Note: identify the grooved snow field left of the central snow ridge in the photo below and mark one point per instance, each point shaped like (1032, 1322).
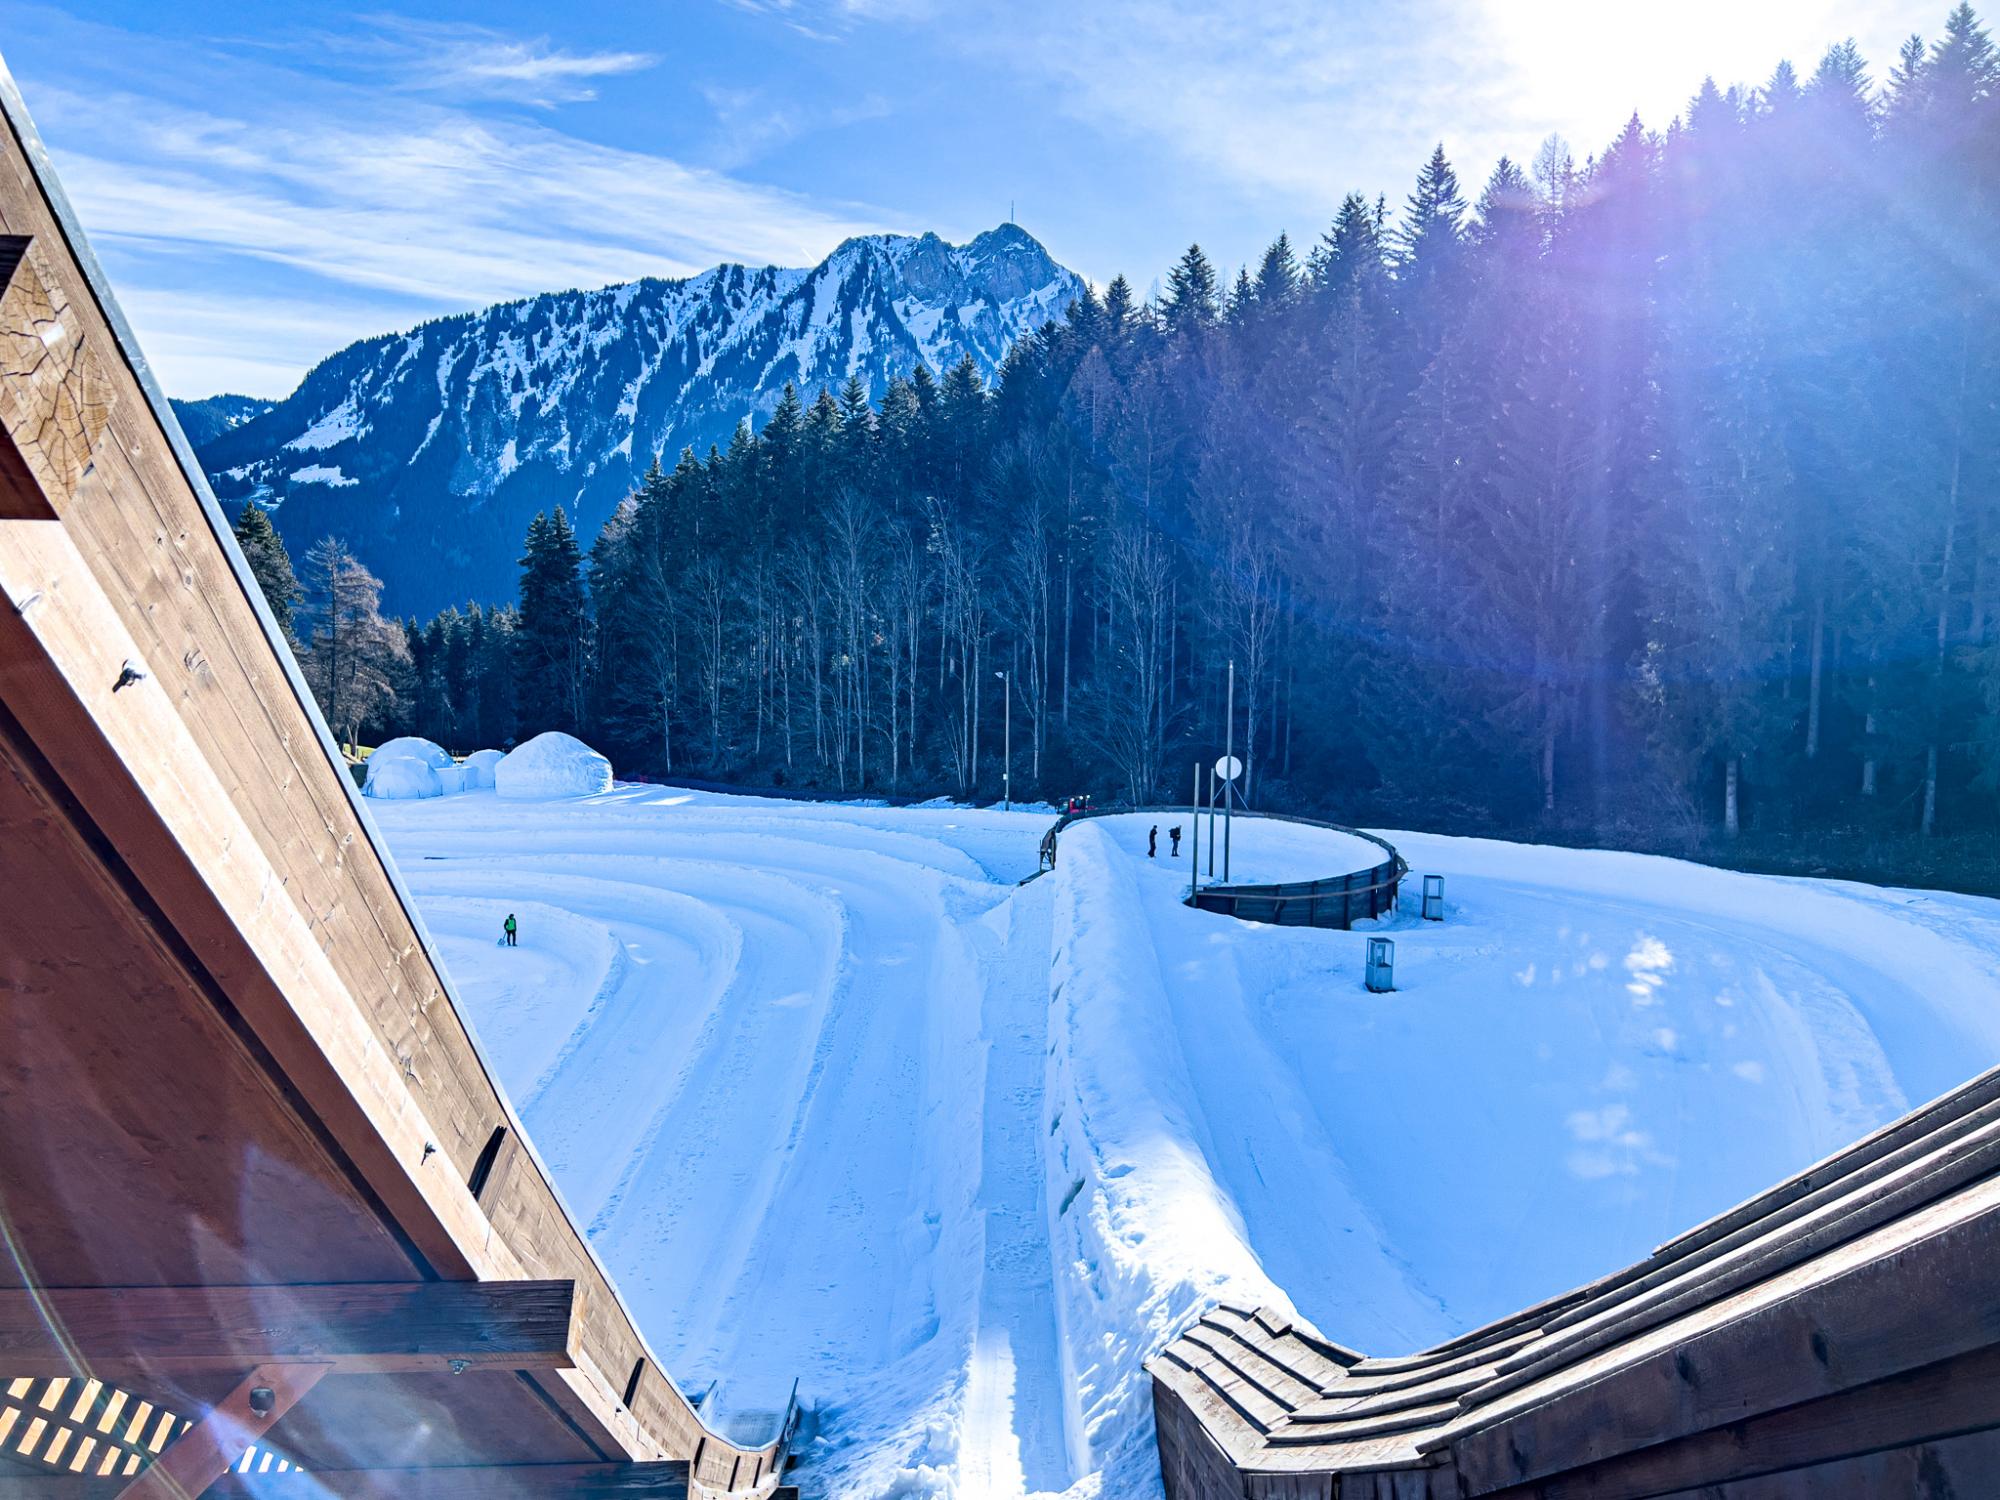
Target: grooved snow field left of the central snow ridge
(793, 1091)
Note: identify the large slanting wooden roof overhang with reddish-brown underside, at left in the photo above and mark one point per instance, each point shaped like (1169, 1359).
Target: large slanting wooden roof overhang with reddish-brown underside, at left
(229, 1057)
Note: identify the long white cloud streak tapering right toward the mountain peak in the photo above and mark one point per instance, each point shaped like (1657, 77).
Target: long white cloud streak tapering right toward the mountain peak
(437, 205)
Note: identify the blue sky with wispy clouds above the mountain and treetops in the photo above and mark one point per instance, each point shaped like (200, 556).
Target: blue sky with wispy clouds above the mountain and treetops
(269, 183)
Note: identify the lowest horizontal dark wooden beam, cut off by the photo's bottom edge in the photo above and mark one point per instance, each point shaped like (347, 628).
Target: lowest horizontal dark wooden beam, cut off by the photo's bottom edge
(667, 1481)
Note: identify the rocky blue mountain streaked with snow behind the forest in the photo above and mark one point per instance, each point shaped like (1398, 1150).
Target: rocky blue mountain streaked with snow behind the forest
(431, 451)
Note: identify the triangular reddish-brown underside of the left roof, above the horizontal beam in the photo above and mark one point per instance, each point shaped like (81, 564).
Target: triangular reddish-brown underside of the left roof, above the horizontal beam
(135, 1207)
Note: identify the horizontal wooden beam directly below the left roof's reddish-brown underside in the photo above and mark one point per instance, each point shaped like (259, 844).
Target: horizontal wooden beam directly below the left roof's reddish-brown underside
(369, 1329)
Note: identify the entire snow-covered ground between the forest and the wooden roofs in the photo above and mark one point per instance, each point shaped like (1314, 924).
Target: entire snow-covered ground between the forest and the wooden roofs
(839, 1101)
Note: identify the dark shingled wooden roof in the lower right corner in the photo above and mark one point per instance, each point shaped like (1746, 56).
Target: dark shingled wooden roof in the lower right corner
(1849, 1311)
